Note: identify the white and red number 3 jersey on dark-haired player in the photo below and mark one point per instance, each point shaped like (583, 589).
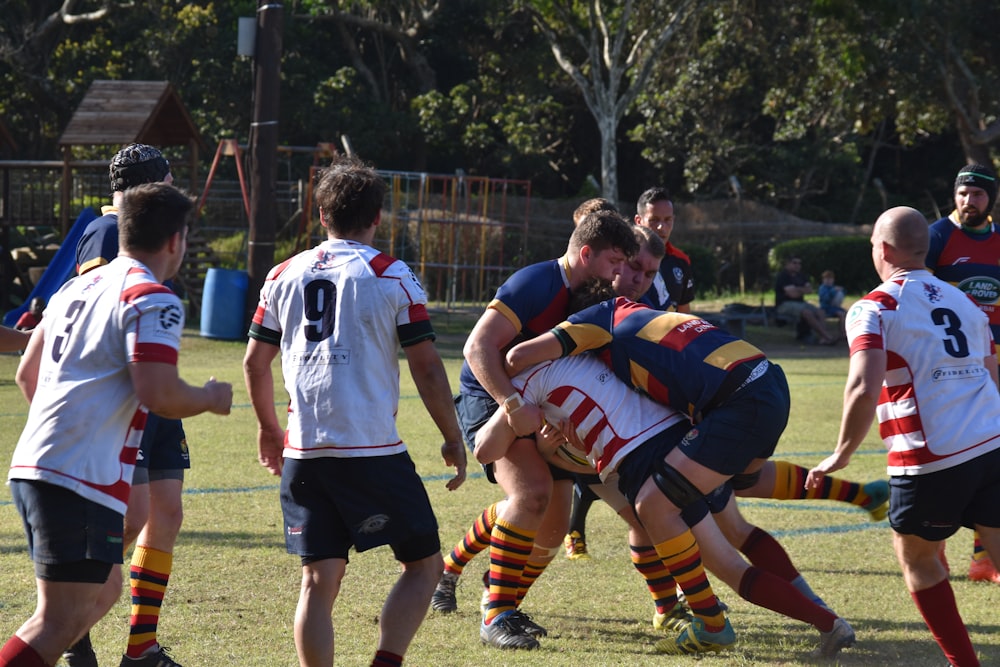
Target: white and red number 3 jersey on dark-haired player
(85, 421)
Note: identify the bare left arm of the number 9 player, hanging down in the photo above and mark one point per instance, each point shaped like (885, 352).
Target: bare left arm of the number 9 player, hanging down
(259, 381)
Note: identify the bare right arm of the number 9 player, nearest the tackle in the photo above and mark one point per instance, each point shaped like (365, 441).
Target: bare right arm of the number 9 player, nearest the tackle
(435, 391)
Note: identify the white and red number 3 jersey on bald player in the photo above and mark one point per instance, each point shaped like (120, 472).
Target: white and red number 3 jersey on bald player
(938, 406)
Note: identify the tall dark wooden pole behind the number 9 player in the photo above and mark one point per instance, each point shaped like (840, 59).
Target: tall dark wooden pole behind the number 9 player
(264, 148)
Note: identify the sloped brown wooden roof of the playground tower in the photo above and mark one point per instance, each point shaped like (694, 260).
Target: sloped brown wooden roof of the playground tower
(123, 112)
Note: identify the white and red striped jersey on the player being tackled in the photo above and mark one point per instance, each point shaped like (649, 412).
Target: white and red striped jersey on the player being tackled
(610, 418)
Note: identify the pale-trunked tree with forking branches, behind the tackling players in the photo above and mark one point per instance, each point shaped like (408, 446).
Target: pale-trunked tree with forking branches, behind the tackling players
(609, 56)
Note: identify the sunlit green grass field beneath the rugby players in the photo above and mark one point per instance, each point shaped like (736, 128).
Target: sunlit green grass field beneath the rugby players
(233, 591)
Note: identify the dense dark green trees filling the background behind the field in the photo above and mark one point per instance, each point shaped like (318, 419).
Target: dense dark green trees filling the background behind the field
(829, 109)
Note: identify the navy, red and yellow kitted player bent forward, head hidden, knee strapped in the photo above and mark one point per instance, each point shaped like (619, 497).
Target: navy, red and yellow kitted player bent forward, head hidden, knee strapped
(736, 398)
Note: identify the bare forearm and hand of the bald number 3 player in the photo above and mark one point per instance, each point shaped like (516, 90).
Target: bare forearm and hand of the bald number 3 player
(864, 384)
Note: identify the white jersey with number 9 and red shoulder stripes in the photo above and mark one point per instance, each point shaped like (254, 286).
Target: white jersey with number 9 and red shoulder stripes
(340, 313)
